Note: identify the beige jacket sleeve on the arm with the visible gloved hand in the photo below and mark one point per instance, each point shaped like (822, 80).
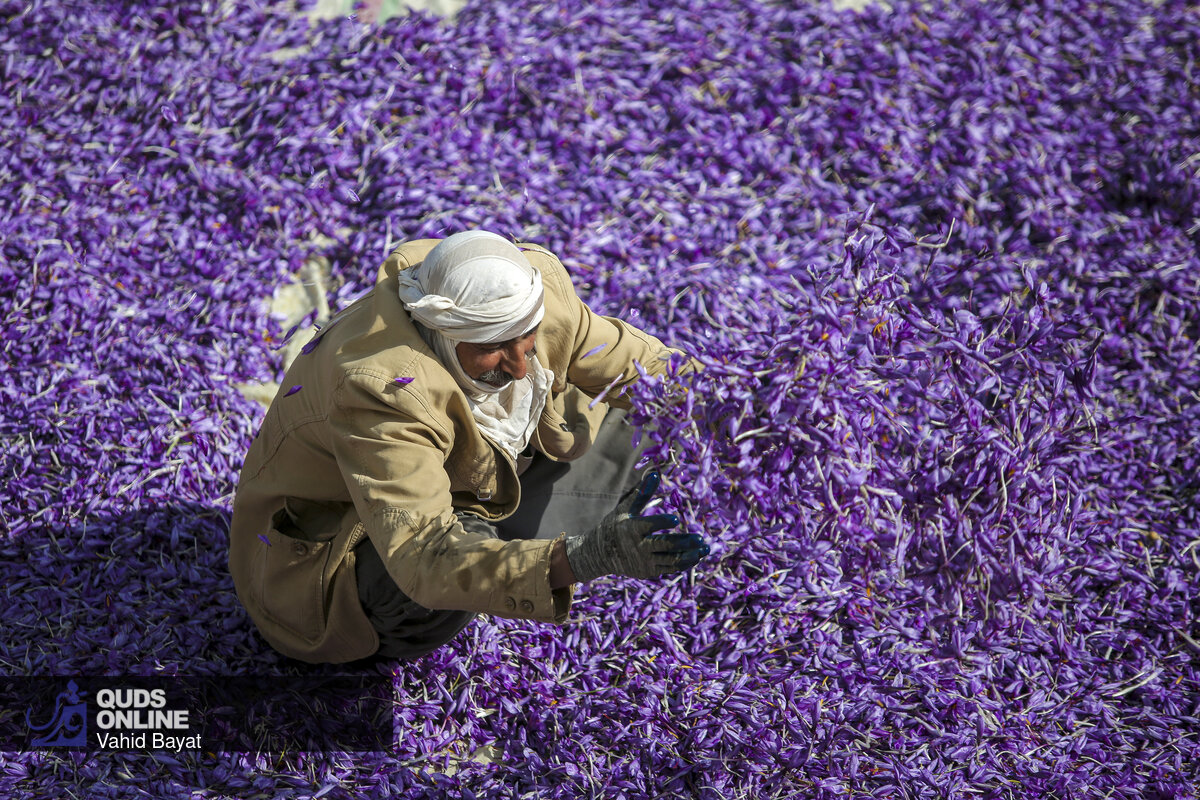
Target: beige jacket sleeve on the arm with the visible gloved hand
(393, 459)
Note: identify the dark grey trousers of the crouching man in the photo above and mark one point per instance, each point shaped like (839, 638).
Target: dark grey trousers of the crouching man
(556, 497)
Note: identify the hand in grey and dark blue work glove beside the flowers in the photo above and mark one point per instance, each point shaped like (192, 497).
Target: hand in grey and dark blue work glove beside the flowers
(626, 544)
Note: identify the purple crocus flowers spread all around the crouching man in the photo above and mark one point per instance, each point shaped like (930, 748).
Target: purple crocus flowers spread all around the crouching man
(941, 263)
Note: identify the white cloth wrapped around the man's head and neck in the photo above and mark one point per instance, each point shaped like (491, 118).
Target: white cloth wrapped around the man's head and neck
(478, 287)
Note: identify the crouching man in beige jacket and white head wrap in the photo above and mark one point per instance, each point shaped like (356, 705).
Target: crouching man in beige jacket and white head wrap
(430, 458)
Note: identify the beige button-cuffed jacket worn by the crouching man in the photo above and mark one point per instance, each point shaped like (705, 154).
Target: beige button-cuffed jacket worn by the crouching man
(359, 450)
